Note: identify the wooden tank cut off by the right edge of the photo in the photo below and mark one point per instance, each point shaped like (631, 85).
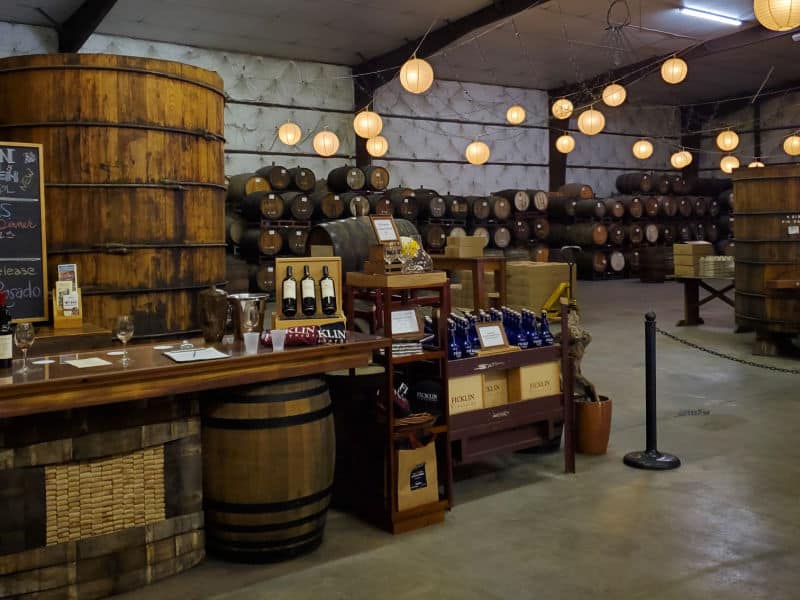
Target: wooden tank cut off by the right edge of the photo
(768, 249)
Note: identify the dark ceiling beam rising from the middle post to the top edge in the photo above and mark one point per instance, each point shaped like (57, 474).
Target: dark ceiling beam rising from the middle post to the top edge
(377, 71)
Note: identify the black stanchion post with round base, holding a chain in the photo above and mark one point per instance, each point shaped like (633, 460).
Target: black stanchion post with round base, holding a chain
(651, 458)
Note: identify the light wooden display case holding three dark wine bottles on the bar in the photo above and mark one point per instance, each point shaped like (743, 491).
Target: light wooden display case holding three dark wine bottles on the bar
(315, 265)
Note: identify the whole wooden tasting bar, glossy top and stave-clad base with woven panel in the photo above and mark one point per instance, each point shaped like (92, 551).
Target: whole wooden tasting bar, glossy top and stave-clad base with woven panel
(101, 469)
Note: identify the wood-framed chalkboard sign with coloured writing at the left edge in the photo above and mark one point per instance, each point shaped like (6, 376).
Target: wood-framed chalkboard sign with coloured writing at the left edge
(23, 264)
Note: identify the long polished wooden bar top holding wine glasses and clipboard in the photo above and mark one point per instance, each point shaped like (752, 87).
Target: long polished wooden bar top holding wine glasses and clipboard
(57, 386)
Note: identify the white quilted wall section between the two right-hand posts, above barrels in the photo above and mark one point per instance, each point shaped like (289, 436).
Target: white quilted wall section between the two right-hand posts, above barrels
(598, 160)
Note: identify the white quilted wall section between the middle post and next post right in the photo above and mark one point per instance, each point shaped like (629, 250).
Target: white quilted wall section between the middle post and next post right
(428, 134)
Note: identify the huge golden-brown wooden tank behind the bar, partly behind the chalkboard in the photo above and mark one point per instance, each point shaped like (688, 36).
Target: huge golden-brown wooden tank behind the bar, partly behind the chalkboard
(134, 178)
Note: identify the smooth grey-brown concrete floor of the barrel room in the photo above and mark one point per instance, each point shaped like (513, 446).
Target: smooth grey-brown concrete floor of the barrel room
(724, 525)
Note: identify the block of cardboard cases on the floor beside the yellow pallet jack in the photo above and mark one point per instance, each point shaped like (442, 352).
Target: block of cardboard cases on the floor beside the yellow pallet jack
(530, 284)
